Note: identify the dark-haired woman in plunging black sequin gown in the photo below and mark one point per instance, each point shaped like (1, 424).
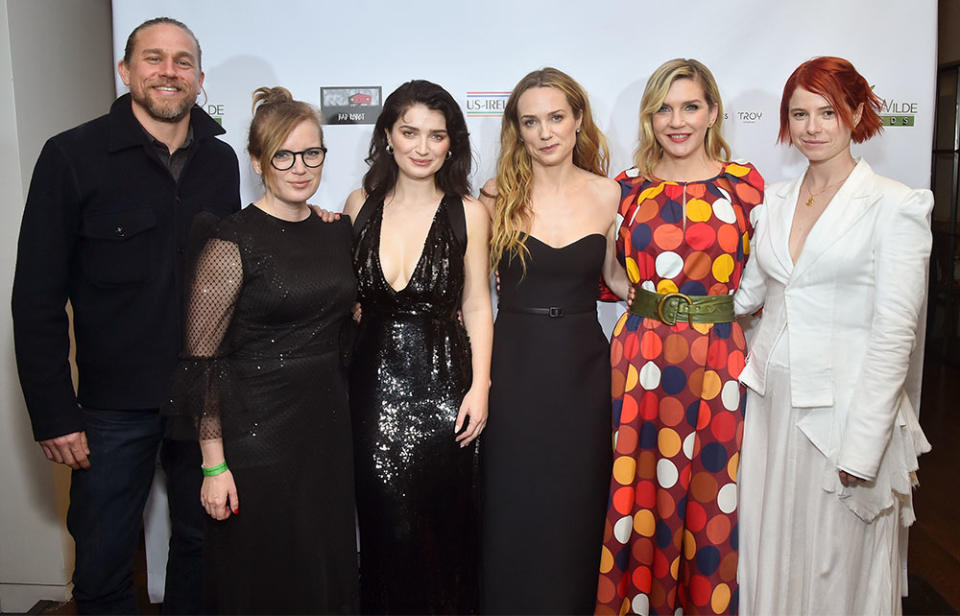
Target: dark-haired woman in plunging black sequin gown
(418, 382)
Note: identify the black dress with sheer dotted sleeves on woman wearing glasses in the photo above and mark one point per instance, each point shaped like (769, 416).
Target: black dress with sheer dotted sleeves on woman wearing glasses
(262, 368)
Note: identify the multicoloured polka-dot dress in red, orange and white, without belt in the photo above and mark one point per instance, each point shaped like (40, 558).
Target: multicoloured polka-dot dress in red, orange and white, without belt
(670, 538)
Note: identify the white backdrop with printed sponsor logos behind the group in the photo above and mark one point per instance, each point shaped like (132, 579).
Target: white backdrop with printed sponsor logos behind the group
(609, 46)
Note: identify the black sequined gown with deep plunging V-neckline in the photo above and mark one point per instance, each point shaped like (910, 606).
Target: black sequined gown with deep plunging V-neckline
(416, 487)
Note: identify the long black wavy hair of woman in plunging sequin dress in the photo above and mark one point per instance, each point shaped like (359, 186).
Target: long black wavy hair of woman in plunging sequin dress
(381, 177)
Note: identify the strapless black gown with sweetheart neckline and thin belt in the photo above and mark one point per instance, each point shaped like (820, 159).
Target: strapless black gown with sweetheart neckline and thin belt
(546, 451)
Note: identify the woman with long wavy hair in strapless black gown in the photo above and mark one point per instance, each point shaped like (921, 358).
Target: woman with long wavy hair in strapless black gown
(546, 455)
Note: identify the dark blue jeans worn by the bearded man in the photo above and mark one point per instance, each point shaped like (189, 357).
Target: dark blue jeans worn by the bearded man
(106, 509)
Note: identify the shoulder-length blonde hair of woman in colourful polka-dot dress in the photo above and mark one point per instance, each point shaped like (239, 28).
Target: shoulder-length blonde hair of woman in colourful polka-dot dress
(649, 151)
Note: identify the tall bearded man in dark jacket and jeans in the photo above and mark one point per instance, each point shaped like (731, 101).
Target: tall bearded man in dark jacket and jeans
(105, 226)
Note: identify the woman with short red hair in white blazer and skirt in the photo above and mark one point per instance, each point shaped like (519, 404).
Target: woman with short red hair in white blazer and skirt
(831, 437)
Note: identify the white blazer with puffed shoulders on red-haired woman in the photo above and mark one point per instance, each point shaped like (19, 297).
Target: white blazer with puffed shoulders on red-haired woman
(851, 308)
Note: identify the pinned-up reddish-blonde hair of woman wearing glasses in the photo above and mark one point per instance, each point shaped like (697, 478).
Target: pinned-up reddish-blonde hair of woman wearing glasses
(275, 115)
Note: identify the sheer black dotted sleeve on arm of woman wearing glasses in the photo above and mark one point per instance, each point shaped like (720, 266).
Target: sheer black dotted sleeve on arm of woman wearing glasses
(202, 384)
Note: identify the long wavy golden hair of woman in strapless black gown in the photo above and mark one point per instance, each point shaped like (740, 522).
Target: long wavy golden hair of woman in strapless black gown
(512, 211)
